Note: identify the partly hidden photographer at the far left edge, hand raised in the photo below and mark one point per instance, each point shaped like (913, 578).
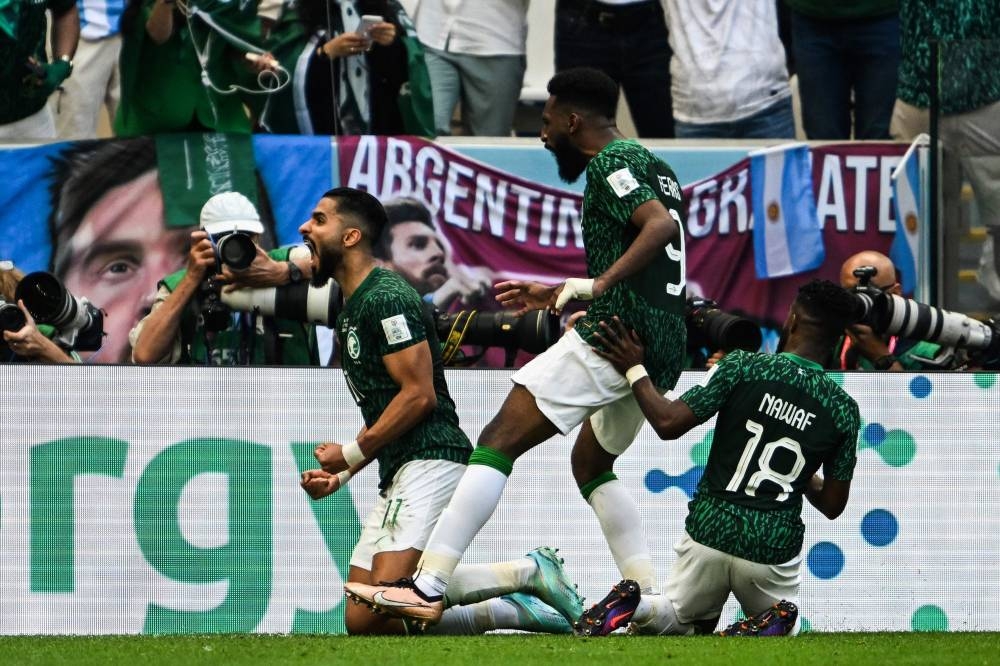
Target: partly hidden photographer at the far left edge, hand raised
(27, 342)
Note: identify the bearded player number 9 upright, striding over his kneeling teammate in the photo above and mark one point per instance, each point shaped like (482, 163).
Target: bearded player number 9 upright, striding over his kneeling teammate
(634, 238)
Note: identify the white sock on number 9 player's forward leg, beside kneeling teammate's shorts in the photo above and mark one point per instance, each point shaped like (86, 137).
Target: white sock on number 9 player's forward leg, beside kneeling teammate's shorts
(472, 504)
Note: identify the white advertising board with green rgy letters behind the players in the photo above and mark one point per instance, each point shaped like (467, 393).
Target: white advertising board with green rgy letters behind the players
(171, 504)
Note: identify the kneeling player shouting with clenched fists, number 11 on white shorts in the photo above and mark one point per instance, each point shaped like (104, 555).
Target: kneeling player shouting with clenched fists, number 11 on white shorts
(392, 365)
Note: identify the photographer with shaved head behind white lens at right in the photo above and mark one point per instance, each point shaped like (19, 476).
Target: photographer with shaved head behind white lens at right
(861, 348)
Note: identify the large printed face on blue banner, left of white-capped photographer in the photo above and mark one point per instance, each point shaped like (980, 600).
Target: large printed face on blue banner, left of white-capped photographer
(119, 253)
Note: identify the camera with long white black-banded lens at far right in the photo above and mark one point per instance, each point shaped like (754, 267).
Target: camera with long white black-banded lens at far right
(894, 315)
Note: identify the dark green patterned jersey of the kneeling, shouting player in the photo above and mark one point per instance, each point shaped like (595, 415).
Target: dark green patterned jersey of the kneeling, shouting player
(383, 316)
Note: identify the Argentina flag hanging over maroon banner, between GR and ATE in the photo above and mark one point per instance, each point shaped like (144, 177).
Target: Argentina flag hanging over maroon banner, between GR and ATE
(787, 238)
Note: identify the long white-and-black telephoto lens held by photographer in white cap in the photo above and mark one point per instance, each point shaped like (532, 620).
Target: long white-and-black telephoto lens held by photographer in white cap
(297, 302)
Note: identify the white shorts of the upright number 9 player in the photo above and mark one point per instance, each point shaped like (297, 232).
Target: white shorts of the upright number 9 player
(571, 383)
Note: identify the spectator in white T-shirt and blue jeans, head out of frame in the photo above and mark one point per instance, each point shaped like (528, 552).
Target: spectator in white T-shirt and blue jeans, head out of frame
(728, 70)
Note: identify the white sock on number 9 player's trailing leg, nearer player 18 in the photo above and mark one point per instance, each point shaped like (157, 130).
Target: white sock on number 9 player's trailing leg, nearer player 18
(619, 518)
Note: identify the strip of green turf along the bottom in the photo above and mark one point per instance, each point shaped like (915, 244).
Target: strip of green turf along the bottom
(819, 649)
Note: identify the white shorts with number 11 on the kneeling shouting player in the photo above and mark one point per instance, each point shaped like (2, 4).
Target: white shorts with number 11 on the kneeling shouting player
(405, 514)
